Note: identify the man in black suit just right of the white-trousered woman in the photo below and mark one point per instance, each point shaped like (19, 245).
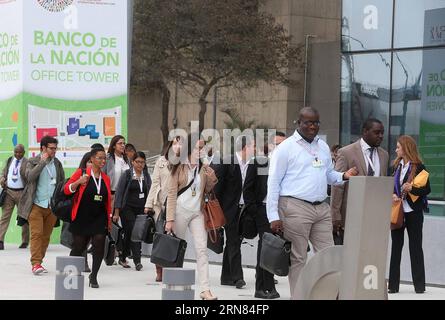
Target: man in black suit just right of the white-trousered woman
(229, 191)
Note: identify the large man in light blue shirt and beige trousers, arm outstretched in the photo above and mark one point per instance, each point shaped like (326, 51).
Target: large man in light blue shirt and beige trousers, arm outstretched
(300, 170)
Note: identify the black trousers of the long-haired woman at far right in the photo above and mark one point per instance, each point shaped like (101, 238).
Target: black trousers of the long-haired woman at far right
(413, 224)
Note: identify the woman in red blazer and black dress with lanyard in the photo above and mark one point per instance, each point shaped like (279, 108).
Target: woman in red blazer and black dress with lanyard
(91, 210)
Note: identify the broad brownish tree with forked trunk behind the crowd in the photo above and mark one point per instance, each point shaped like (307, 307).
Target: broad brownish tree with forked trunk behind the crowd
(201, 43)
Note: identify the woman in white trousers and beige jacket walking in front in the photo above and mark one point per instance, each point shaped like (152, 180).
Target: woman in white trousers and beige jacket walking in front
(186, 210)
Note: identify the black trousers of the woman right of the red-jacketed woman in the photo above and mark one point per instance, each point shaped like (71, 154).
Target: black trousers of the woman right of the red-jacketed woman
(128, 217)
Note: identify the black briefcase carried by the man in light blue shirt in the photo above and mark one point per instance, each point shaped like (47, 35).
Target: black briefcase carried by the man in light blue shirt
(275, 254)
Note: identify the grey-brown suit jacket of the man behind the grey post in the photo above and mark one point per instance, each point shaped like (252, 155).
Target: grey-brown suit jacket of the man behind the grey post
(349, 157)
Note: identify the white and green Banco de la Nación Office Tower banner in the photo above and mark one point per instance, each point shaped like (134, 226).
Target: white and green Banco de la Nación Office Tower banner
(64, 73)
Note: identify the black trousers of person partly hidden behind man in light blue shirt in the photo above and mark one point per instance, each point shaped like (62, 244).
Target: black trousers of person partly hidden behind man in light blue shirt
(263, 279)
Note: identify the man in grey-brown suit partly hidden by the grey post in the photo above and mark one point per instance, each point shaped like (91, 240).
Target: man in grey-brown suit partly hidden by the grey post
(369, 159)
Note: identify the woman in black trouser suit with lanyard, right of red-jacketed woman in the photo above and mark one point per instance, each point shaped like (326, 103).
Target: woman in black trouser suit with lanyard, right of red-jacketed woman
(129, 202)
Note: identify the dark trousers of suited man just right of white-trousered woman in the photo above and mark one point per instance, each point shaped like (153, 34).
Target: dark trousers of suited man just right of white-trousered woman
(231, 269)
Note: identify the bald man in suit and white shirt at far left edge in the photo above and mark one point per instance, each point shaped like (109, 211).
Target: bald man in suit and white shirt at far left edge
(13, 180)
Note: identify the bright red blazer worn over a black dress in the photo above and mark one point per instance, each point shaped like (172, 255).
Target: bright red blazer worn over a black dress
(79, 193)
